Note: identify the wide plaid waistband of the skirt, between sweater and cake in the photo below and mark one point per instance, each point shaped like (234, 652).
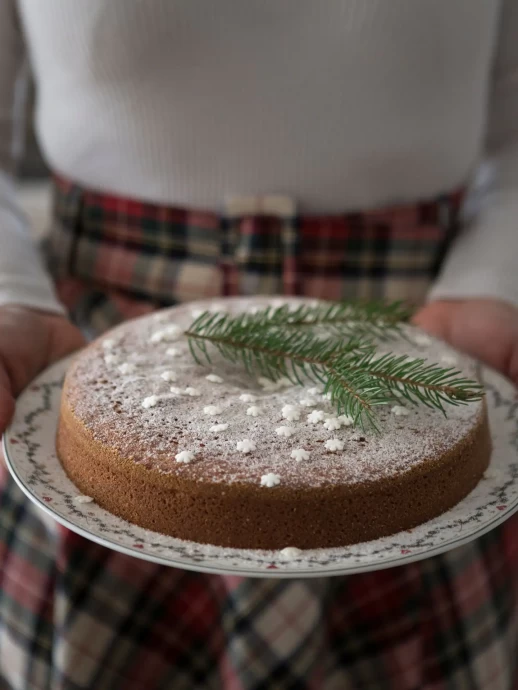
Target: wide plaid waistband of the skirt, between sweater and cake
(255, 246)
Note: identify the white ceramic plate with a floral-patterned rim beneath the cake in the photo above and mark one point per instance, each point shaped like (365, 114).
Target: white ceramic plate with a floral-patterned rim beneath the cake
(30, 453)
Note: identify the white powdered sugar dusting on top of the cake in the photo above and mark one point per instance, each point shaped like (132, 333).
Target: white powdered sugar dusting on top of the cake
(110, 401)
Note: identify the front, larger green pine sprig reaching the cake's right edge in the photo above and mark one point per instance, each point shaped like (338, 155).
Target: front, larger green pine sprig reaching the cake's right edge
(355, 378)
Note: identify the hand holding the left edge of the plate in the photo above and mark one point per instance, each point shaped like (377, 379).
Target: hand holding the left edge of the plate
(29, 341)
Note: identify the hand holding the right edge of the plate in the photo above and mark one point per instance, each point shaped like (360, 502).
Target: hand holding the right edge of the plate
(486, 329)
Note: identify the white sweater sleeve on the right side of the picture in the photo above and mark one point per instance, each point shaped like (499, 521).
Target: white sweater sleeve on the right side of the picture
(483, 260)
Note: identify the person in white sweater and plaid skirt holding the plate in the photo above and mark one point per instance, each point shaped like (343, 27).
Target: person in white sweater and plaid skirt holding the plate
(348, 148)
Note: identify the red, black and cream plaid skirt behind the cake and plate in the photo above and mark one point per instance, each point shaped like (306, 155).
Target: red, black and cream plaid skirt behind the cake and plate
(76, 615)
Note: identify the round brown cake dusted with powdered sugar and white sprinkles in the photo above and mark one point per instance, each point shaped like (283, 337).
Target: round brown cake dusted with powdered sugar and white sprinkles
(213, 455)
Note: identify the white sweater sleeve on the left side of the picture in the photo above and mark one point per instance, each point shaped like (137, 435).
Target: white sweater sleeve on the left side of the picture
(22, 277)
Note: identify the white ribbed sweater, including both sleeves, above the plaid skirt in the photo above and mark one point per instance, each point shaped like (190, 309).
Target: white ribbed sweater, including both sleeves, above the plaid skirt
(341, 104)
